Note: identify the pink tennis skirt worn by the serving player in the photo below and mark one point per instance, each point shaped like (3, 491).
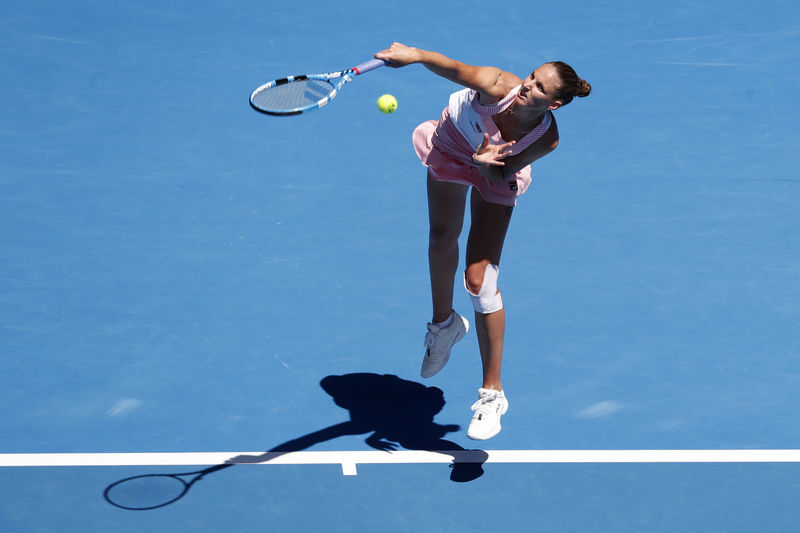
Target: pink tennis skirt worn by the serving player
(446, 153)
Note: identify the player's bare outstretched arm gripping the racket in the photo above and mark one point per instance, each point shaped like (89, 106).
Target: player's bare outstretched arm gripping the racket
(491, 82)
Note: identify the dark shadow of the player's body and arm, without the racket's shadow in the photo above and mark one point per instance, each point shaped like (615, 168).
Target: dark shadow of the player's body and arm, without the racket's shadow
(393, 413)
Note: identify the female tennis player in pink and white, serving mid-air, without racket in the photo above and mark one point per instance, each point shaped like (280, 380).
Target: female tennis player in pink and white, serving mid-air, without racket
(486, 139)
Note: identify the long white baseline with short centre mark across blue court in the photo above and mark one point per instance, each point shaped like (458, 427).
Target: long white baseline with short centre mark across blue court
(350, 459)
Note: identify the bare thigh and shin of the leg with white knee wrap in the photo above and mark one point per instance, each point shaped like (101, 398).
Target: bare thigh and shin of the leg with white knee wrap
(489, 225)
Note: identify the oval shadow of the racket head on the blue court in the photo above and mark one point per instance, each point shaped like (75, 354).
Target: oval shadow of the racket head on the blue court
(145, 492)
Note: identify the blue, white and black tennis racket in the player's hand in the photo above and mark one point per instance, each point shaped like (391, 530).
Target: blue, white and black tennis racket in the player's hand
(300, 94)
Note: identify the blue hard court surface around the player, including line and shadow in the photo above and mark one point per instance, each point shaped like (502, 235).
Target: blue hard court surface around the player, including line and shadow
(180, 274)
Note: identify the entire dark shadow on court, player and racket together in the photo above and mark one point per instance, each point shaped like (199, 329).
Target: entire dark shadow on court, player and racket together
(391, 411)
